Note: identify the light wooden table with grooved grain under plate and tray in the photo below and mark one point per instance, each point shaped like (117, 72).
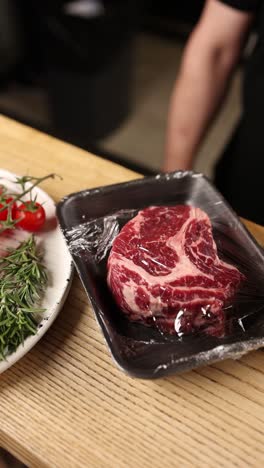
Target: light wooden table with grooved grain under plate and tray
(66, 404)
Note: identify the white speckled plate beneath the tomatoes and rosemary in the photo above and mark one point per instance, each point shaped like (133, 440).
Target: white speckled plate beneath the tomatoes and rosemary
(56, 259)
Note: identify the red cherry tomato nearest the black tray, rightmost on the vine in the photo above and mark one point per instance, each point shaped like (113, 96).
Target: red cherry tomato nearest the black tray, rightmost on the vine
(31, 216)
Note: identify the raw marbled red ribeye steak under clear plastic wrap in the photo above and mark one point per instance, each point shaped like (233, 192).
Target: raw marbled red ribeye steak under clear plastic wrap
(163, 269)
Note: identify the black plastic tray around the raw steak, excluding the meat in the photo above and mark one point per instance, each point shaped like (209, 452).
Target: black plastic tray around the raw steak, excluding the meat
(143, 351)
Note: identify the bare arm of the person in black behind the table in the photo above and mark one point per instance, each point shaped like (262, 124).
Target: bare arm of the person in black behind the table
(209, 59)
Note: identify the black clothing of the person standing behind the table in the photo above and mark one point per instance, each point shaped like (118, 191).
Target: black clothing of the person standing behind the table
(240, 172)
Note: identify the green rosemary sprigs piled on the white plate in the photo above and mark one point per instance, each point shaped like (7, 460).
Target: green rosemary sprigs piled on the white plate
(22, 281)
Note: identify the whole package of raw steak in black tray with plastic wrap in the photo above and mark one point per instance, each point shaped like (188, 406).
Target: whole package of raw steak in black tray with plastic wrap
(185, 278)
